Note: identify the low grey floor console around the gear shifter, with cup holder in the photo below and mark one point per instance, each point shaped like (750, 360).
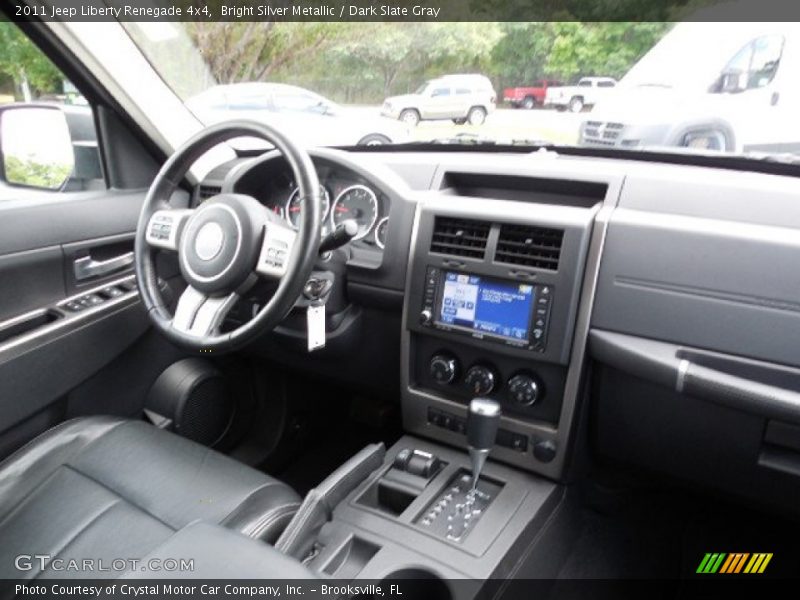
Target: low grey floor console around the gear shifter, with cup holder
(413, 519)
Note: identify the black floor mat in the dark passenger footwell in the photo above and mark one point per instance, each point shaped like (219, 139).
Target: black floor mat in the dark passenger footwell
(665, 534)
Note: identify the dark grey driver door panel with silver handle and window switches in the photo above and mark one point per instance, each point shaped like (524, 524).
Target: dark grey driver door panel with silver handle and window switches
(46, 348)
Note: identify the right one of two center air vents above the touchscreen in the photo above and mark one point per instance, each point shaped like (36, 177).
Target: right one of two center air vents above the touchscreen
(529, 246)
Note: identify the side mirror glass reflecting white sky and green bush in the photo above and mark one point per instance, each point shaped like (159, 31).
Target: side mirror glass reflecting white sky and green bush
(35, 146)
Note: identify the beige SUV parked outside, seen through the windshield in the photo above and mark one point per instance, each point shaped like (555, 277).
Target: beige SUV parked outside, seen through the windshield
(460, 98)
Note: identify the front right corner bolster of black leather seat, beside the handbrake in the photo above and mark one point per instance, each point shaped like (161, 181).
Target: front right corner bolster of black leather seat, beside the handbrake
(264, 513)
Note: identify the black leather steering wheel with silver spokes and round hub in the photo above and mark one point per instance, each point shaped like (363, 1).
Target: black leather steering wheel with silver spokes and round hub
(225, 245)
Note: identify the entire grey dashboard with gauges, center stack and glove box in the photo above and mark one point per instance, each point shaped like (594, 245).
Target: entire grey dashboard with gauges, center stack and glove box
(637, 312)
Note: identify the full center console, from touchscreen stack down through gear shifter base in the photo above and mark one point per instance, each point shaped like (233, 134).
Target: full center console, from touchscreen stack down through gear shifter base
(496, 310)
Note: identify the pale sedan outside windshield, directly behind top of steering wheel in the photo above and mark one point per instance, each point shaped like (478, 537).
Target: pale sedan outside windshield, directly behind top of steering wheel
(310, 117)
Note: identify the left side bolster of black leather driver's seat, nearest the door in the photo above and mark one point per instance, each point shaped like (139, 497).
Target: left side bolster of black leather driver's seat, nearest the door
(26, 469)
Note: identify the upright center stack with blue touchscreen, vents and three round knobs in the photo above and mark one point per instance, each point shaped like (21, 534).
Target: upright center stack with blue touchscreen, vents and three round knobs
(492, 300)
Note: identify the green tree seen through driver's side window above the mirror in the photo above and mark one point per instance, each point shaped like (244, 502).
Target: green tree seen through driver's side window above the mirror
(25, 64)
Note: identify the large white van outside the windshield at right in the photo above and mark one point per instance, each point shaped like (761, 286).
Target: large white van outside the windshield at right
(701, 86)
